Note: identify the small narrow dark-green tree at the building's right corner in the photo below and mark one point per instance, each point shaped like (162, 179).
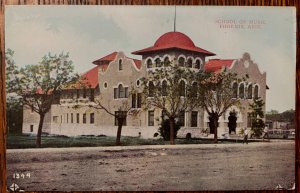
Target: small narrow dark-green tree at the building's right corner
(257, 115)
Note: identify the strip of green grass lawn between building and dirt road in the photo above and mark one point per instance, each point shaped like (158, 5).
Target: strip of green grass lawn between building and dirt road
(27, 141)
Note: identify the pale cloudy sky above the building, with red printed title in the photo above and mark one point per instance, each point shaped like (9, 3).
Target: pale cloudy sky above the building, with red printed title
(91, 32)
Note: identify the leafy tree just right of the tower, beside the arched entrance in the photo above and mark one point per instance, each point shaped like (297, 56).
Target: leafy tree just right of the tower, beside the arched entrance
(215, 94)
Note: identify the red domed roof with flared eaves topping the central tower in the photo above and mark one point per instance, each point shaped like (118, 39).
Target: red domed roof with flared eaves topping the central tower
(173, 40)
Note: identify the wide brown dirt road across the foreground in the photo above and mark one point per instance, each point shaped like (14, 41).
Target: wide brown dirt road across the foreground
(254, 166)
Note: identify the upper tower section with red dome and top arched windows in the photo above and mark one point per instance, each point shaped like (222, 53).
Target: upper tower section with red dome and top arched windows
(176, 47)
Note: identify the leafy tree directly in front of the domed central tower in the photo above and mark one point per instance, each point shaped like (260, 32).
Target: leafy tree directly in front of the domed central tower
(171, 89)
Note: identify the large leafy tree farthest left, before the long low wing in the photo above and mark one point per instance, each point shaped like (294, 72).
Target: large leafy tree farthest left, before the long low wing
(40, 84)
